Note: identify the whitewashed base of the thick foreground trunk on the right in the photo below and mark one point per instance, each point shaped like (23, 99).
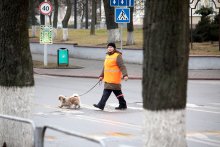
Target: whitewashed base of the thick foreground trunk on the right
(164, 128)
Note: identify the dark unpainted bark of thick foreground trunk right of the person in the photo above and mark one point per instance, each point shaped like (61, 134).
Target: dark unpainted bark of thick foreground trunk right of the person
(166, 51)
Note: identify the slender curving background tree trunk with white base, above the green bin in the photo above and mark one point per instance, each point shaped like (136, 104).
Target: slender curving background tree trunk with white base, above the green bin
(66, 20)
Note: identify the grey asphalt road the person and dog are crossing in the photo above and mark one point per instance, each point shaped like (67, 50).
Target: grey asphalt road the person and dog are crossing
(120, 128)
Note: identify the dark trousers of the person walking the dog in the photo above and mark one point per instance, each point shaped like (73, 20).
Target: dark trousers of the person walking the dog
(107, 93)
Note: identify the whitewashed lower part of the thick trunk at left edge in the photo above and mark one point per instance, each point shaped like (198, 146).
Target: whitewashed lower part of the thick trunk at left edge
(16, 101)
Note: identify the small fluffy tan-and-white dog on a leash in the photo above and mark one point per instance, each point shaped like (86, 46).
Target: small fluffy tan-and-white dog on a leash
(70, 101)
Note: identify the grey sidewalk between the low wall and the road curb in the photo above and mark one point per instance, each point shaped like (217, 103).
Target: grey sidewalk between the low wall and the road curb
(93, 68)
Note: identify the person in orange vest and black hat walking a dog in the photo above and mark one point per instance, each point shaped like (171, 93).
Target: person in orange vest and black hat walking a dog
(114, 69)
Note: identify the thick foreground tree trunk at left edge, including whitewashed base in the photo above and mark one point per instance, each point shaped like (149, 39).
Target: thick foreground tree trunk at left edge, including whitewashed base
(16, 80)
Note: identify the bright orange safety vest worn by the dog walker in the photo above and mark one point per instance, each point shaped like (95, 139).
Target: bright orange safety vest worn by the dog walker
(112, 73)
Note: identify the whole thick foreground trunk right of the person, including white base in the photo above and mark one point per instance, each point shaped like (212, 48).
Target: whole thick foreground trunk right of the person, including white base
(165, 72)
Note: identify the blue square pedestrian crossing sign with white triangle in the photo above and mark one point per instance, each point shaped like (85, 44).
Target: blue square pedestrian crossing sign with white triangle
(122, 15)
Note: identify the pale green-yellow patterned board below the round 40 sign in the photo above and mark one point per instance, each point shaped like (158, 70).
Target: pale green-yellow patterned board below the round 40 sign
(46, 34)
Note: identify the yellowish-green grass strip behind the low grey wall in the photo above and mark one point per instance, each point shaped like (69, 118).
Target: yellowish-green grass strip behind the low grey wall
(82, 37)
